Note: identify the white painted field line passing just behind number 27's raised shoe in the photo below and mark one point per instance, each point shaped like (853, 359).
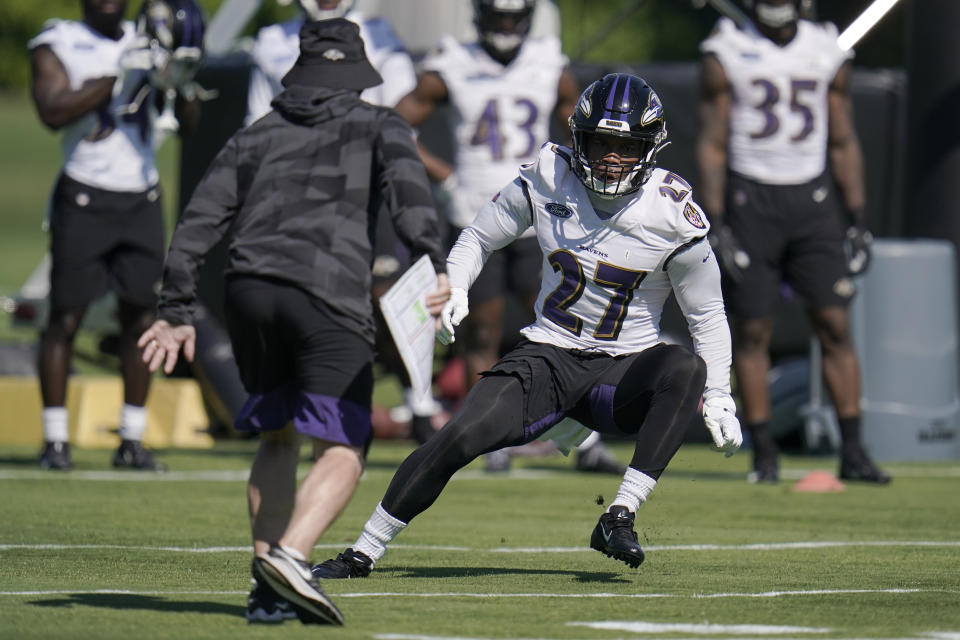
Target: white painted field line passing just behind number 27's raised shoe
(759, 546)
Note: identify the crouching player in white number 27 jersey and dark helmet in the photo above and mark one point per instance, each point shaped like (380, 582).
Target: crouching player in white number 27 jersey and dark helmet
(617, 236)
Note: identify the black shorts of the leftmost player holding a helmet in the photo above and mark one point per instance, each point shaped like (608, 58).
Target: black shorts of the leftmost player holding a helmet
(104, 239)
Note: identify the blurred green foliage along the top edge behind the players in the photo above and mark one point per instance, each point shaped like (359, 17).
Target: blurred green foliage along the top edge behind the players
(594, 31)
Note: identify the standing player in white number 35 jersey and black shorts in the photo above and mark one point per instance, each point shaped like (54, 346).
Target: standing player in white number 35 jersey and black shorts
(774, 108)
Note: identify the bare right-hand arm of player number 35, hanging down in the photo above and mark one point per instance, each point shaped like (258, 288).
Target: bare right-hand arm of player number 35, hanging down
(843, 146)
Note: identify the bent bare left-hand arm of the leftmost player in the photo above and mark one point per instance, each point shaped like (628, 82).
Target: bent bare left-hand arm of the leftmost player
(57, 104)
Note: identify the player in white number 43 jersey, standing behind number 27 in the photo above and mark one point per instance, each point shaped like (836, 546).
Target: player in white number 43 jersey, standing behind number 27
(504, 90)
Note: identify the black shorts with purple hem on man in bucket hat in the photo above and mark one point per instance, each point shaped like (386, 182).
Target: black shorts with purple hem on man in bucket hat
(297, 363)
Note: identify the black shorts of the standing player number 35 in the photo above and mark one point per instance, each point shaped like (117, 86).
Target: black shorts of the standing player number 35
(794, 236)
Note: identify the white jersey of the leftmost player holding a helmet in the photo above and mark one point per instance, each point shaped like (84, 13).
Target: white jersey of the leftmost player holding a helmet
(103, 149)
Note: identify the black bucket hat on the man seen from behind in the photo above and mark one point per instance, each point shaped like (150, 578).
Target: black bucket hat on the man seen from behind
(332, 56)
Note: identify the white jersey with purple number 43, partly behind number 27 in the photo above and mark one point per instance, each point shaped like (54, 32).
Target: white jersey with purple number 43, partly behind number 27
(501, 113)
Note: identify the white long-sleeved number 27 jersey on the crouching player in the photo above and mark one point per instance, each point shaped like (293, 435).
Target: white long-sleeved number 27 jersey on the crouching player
(606, 277)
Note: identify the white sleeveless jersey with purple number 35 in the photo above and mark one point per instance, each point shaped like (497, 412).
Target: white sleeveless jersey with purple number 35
(779, 111)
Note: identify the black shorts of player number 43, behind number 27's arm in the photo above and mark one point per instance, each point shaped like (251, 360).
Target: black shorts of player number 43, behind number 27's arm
(515, 268)
